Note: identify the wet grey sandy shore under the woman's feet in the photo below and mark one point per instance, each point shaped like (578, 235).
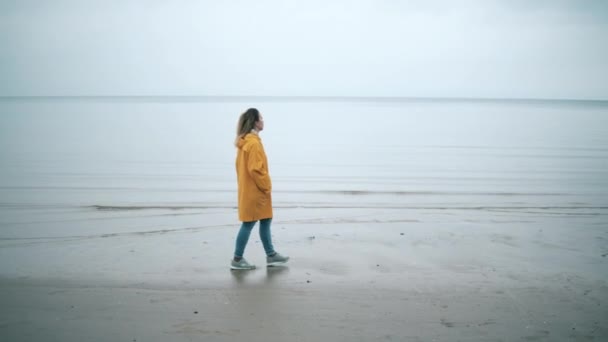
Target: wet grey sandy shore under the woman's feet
(375, 274)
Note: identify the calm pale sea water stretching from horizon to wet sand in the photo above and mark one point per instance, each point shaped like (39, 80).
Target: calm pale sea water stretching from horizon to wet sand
(70, 166)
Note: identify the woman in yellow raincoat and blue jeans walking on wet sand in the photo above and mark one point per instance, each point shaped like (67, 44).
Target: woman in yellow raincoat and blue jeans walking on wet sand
(255, 201)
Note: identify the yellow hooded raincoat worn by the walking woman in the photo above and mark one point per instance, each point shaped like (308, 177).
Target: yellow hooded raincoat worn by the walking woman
(255, 186)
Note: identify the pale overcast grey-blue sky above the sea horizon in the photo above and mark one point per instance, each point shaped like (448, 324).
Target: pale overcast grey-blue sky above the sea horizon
(511, 48)
